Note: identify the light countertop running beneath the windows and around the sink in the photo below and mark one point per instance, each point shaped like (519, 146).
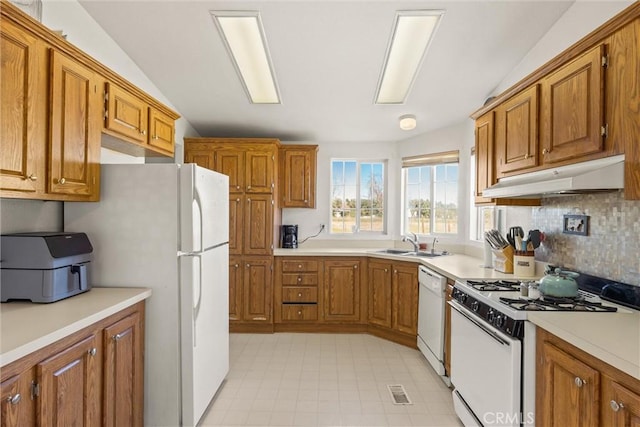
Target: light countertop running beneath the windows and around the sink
(454, 266)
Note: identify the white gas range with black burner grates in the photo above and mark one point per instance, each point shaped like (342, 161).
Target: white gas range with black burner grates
(493, 348)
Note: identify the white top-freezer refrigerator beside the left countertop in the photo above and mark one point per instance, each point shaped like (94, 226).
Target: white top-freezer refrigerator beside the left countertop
(166, 227)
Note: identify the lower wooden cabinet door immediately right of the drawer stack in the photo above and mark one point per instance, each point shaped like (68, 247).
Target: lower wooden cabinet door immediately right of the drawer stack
(342, 290)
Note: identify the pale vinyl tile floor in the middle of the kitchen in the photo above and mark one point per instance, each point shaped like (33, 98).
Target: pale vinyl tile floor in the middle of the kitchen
(302, 379)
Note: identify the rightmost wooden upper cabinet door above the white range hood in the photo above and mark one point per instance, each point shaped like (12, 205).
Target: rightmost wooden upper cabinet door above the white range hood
(572, 105)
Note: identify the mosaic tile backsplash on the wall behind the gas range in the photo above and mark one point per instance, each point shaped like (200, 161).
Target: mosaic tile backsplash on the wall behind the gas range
(612, 247)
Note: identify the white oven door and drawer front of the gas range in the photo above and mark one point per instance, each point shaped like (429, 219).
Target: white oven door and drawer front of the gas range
(485, 370)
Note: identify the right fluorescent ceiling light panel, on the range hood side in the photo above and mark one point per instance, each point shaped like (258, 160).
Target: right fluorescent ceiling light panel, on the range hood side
(412, 33)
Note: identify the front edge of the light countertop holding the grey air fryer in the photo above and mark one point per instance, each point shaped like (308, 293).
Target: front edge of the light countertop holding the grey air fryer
(45, 340)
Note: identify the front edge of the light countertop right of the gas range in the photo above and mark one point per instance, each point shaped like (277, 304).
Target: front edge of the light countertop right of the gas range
(594, 350)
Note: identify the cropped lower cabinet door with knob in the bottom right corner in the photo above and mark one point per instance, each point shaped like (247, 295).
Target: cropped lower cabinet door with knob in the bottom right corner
(621, 405)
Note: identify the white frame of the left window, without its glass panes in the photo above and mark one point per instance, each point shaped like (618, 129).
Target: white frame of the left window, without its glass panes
(385, 209)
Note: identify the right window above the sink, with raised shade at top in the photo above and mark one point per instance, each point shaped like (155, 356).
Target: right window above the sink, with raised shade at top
(431, 194)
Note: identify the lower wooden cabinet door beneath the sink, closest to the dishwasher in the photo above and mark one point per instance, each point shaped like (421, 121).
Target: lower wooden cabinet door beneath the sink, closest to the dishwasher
(405, 298)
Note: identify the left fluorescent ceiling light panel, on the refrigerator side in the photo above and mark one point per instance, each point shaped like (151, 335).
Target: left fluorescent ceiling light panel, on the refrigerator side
(244, 39)
